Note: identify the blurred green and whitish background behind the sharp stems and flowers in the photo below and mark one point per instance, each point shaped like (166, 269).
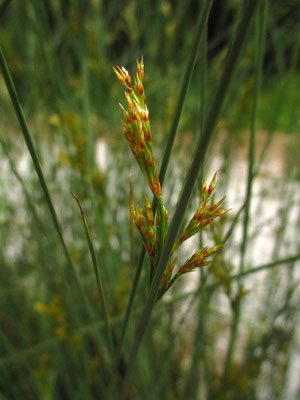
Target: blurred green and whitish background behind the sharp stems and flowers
(199, 344)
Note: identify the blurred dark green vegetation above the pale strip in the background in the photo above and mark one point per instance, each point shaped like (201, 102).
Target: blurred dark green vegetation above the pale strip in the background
(61, 55)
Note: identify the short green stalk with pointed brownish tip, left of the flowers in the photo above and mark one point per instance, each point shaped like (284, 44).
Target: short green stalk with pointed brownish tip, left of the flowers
(97, 273)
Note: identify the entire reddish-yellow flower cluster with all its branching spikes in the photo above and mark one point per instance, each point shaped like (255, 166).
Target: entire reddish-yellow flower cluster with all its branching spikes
(153, 230)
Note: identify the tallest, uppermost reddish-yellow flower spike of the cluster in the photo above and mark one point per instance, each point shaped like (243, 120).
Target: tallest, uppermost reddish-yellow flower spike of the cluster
(136, 124)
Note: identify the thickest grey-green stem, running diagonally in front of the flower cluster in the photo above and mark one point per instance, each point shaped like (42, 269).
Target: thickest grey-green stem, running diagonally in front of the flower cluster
(202, 145)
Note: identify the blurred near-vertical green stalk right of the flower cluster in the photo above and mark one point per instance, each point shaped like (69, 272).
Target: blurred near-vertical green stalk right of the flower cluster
(260, 29)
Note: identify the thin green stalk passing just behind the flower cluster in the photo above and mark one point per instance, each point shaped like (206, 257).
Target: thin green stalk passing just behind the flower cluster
(171, 138)
